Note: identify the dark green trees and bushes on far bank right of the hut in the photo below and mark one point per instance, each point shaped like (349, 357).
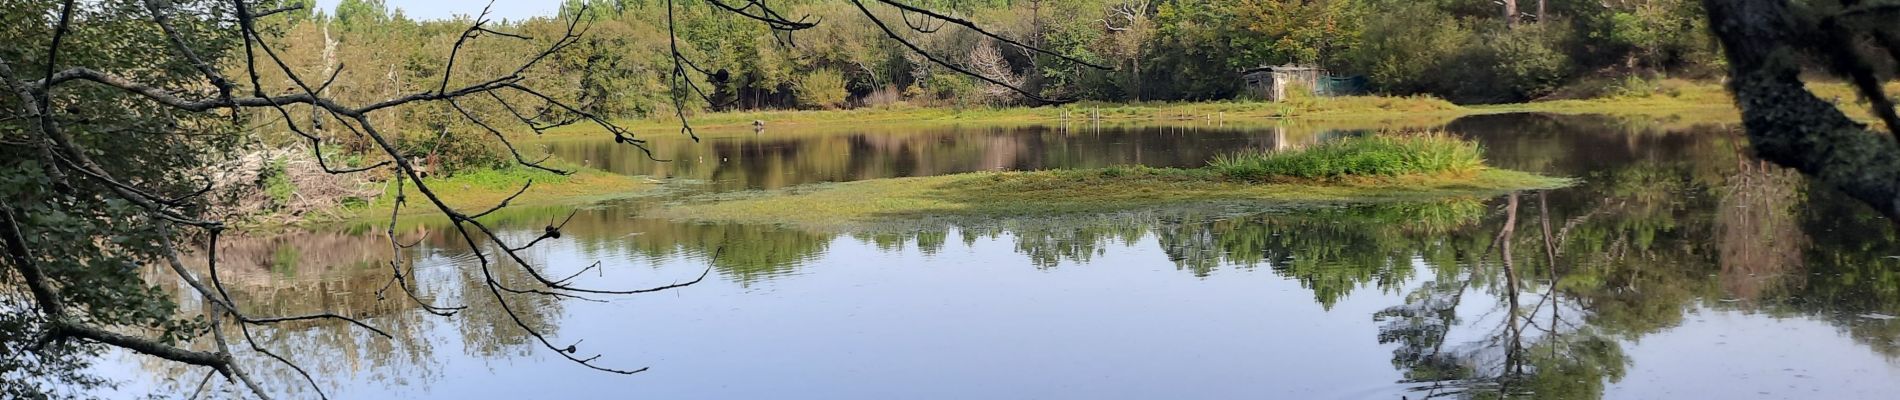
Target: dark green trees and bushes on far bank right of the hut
(1460, 52)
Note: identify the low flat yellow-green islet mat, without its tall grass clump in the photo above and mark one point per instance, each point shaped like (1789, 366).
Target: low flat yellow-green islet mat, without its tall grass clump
(1027, 194)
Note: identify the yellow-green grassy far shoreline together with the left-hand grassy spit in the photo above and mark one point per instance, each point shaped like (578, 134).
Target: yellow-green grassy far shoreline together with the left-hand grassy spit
(485, 189)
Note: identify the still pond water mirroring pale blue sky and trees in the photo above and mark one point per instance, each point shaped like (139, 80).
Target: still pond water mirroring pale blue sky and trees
(1679, 268)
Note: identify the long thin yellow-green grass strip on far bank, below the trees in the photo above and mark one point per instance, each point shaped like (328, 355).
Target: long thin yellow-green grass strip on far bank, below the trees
(1669, 100)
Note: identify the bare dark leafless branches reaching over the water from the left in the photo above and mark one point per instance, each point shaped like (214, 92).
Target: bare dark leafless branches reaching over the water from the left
(491, 249)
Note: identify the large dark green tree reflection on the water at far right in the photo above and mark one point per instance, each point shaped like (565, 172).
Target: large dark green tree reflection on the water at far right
(1662, 227)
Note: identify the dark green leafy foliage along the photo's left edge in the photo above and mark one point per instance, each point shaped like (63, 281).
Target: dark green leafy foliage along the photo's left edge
(88, 242)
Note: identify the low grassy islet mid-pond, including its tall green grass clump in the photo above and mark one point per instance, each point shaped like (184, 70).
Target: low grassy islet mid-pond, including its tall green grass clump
(1361, 170)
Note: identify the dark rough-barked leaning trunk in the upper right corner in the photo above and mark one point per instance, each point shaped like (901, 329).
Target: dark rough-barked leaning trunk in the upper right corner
(1785, 122)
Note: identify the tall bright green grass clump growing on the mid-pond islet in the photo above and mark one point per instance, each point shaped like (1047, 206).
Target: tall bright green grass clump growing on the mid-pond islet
(1359, 156)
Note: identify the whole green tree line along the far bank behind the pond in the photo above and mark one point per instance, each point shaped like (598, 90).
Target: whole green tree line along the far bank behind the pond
(1154, 50)
